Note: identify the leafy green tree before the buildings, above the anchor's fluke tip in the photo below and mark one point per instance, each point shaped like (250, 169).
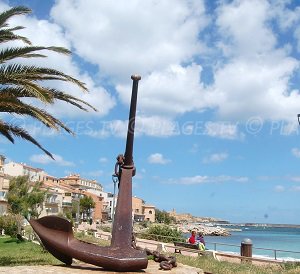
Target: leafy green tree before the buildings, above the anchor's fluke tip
(24, 199)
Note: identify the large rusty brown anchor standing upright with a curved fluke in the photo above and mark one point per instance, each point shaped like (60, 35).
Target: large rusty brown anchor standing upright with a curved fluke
(57, 236)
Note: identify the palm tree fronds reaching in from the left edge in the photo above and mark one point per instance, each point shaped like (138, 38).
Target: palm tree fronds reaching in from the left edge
(19, 81)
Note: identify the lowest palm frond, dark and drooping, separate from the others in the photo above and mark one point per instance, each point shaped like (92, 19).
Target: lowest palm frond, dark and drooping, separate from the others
(9, 131)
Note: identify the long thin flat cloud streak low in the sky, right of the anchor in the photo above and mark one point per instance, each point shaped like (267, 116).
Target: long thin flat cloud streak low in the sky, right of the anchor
(198, 179)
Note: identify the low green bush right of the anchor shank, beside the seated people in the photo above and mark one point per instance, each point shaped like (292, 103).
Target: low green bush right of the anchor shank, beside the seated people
(162, 233)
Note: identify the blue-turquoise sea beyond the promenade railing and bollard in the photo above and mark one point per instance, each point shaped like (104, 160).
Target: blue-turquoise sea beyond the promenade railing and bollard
(282, 243)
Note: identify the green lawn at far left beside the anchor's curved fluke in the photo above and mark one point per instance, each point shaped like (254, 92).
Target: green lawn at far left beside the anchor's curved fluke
(15, 252)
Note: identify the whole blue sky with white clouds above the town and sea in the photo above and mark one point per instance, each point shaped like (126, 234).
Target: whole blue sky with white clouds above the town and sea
(217, 131)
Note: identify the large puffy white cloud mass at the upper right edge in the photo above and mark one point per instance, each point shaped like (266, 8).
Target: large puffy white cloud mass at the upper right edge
(250, 82)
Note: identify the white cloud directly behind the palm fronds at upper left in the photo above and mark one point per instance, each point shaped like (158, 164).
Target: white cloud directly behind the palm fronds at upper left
(51, 34)
